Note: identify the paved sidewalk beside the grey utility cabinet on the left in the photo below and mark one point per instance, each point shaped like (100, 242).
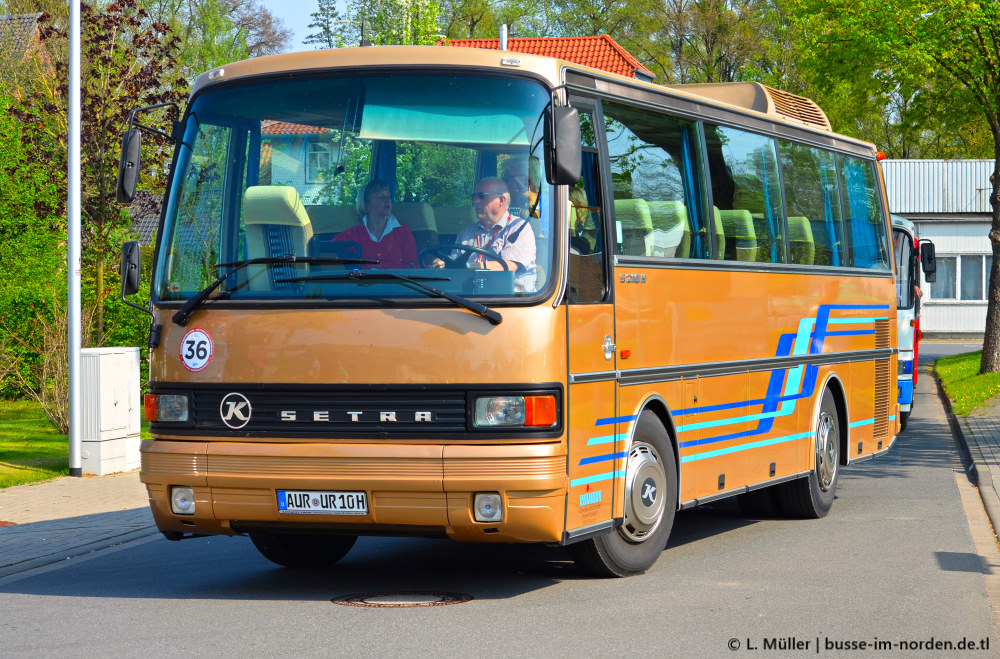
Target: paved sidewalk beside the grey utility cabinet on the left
(43, 523)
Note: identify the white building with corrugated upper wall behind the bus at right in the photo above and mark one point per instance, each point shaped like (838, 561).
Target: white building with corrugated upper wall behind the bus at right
(948, 200)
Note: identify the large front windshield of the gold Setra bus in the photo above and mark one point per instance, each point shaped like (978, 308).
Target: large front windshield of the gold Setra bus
(288, 184)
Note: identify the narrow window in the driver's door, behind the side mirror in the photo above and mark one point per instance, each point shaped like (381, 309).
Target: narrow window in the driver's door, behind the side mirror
(587, 254)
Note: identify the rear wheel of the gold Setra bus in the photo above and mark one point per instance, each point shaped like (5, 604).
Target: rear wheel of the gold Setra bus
(812, 497)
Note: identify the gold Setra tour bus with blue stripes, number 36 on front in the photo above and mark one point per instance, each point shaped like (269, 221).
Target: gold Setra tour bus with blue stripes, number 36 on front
(592, 302)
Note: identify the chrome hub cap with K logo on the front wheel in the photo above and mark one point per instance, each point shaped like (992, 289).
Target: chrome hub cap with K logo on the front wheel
(645, 492)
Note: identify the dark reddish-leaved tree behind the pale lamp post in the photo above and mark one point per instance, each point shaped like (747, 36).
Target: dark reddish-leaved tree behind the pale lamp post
(127, 61)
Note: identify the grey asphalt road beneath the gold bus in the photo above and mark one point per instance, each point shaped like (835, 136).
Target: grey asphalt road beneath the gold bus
(894, 562)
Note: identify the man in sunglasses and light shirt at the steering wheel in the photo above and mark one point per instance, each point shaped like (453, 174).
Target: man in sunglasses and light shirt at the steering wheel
(508, 236)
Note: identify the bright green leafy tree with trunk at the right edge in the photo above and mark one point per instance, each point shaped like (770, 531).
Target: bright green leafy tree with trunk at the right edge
(934, 46)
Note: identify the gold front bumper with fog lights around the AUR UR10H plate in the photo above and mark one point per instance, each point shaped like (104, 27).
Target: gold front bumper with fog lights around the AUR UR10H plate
(413, 489)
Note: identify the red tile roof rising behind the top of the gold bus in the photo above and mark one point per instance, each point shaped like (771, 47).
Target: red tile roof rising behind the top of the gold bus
(600, 52)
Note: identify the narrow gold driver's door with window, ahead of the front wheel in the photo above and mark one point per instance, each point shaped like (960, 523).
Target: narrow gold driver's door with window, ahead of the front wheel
(591, 344)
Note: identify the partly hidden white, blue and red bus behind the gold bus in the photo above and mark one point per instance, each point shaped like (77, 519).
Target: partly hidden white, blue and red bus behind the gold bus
(911, 254)
